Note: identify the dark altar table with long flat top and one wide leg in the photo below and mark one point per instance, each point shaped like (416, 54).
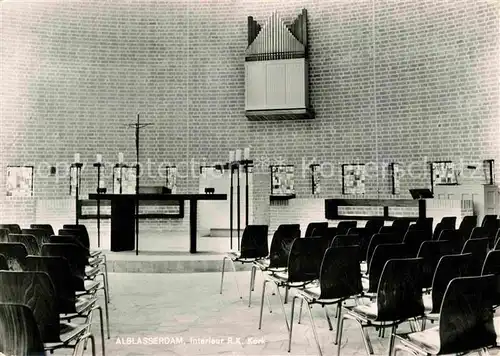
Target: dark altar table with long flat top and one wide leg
(123, 216)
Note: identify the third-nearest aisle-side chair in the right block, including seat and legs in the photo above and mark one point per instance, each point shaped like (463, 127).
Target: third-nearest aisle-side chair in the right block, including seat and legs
(339, 279)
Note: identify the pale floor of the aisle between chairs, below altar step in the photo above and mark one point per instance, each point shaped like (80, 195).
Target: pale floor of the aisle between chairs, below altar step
(173, 314)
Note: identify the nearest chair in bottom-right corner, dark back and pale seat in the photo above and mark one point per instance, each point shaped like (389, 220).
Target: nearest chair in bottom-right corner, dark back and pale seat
(465, 321)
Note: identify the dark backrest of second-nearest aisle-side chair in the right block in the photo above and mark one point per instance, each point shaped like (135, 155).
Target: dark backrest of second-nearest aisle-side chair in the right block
(399, 294)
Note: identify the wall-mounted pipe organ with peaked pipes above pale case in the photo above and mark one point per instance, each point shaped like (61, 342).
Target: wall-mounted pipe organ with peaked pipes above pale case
(276, 69)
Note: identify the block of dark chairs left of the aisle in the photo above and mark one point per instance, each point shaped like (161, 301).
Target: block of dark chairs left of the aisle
(47, 281)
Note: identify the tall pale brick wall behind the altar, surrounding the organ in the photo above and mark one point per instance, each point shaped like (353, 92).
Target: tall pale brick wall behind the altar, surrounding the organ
(406, 81)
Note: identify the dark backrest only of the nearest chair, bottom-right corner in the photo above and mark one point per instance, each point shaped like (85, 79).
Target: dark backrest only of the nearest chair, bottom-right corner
(466, 318)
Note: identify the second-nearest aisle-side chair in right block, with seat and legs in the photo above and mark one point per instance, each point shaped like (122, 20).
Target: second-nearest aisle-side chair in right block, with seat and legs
(399, 298)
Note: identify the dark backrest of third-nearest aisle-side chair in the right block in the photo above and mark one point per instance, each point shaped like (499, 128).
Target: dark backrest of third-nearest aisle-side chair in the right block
(340, 274)
